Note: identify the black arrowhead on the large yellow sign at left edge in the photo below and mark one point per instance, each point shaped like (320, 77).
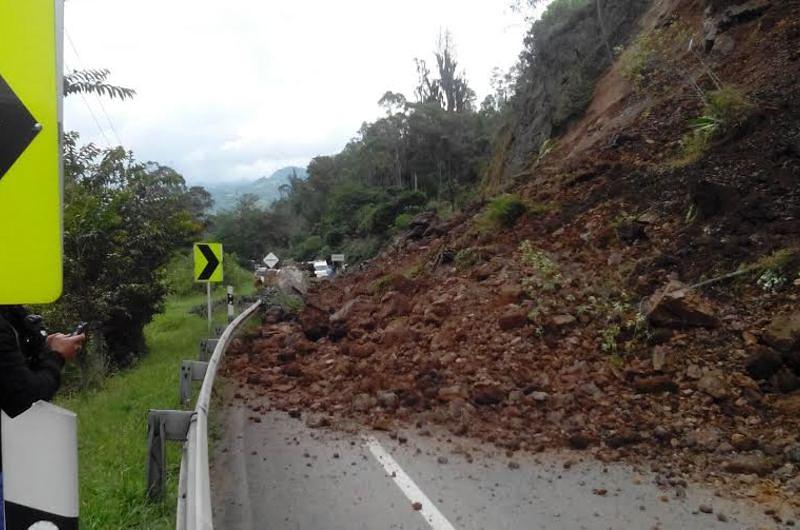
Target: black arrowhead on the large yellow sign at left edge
(18, 127)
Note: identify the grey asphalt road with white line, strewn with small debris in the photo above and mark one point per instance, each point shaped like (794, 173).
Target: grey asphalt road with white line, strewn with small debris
(280, 474)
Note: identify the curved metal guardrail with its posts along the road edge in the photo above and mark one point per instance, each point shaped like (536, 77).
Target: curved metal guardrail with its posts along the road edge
(191, 427)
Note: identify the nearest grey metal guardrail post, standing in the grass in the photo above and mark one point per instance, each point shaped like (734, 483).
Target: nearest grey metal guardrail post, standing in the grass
(163, 425)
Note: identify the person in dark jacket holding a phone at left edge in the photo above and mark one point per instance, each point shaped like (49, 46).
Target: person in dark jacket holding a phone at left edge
(31, 361)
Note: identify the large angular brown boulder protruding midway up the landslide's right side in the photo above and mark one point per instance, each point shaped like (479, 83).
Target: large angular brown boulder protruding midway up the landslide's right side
(676, 306)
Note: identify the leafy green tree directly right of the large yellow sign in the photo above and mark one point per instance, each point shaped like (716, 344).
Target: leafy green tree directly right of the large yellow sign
(123, 219)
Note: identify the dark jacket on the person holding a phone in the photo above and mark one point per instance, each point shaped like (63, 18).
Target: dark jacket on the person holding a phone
(28, 370)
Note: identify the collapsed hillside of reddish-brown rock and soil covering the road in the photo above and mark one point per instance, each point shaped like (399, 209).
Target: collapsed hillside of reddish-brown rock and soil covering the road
(635, 297)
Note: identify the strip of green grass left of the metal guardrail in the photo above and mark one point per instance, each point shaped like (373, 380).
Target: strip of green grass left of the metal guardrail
(112, 423)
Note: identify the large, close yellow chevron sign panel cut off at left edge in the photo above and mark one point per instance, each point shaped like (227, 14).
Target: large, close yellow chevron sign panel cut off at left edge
(30, 151)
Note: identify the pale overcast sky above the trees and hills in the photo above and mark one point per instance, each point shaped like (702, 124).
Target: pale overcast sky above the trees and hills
(235, 89)
